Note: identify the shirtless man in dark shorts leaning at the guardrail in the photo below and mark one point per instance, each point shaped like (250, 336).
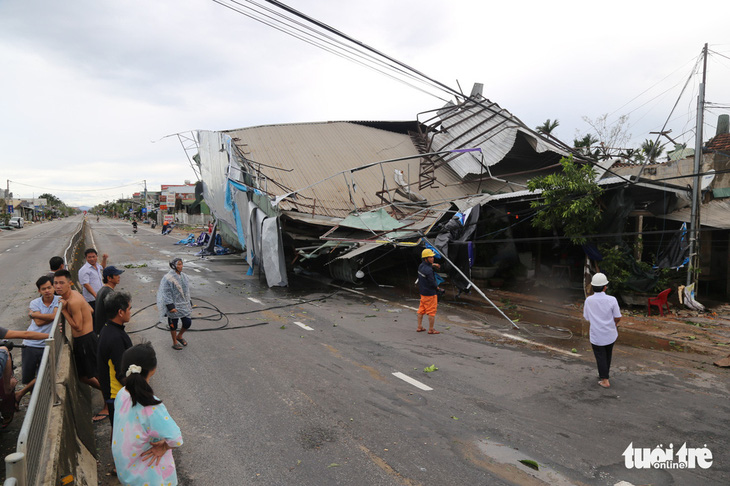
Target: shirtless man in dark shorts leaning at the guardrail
(78, 315)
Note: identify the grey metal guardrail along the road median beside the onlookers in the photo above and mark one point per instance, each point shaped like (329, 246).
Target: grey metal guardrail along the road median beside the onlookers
(22, 467)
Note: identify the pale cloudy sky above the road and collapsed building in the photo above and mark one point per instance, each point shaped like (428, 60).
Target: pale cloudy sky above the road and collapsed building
(90, 88)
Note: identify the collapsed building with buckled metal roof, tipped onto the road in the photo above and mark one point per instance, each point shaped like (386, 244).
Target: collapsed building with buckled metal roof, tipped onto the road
(336, 191)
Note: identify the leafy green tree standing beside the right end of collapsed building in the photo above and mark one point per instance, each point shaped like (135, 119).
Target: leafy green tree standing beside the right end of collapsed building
(569, 201)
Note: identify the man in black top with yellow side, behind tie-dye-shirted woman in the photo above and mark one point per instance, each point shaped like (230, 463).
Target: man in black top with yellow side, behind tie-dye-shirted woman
(113, 342)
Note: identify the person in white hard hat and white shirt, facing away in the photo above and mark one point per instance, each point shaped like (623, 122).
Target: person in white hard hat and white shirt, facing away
(603, 313)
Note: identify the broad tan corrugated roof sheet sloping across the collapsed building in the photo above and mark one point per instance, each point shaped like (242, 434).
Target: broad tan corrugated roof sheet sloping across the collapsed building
(310, 153)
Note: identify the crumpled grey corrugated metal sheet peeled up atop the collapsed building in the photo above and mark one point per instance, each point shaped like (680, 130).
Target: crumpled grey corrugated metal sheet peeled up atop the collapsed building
(487, 126)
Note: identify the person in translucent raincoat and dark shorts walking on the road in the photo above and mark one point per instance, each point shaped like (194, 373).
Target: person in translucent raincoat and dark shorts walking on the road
(174, 304)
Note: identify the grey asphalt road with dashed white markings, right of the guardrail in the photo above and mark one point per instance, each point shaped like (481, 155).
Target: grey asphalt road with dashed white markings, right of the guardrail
(267, 401)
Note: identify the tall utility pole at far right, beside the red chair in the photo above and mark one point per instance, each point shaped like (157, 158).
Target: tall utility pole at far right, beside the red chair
(694, 231)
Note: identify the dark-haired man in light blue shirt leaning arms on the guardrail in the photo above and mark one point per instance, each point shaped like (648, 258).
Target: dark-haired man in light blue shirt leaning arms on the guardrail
(42, 312)
